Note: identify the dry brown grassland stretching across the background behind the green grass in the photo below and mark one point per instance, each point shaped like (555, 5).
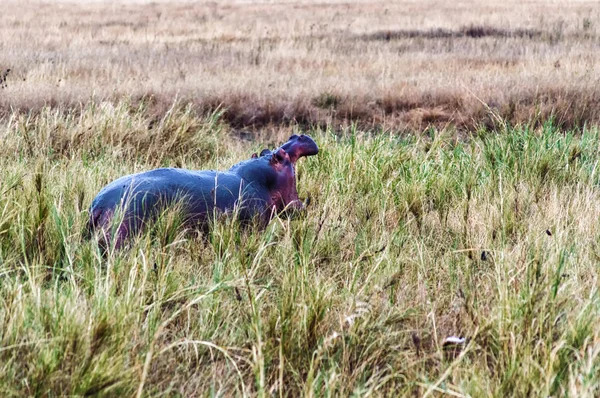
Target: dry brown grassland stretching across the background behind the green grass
(403, 65)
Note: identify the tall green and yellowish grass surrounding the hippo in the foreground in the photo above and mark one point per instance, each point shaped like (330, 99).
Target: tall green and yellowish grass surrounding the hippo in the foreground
(407, 240)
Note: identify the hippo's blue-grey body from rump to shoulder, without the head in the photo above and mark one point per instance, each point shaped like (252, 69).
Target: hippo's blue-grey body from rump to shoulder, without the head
(140, 197)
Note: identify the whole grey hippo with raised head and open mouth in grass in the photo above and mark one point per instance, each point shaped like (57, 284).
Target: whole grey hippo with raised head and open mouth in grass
(258, 187)
